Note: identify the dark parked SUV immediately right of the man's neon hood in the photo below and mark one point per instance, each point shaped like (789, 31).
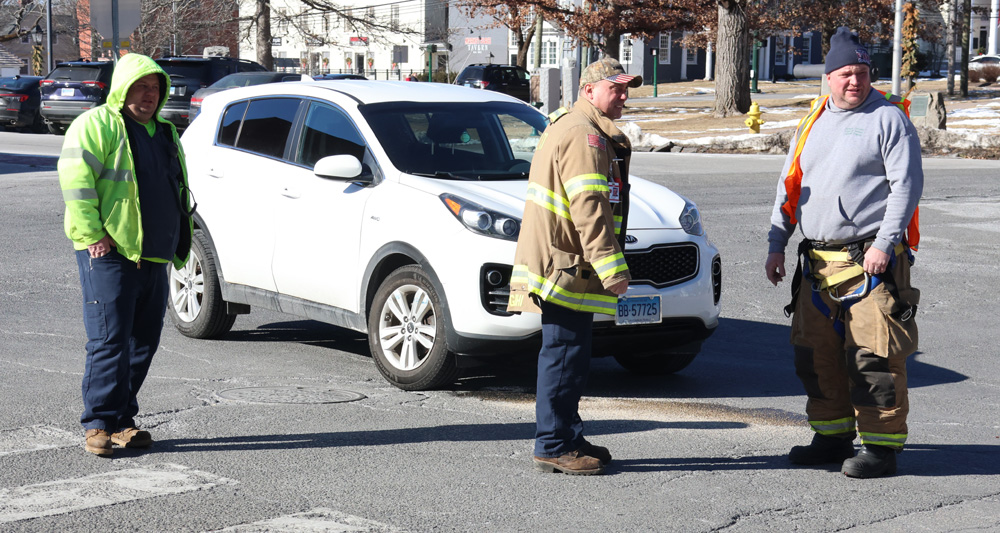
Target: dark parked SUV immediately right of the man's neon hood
(188, 74)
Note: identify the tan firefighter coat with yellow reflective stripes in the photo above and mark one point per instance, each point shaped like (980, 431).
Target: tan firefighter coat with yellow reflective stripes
(572, 235)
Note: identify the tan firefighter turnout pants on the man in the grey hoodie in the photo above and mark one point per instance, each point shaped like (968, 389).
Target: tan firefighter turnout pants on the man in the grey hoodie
(858, 379)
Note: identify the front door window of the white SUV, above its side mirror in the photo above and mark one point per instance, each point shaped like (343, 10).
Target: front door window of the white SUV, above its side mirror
(328, 131)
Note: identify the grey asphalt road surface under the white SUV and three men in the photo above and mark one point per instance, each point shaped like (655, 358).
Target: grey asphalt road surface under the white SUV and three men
(703, 450)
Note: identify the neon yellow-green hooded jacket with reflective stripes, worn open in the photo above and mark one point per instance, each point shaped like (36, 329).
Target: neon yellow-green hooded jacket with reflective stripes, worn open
(96, 170)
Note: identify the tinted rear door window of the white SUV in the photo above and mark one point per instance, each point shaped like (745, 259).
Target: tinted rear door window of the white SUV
(266, 126)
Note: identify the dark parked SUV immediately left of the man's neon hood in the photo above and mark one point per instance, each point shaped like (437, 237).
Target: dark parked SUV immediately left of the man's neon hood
(72, 88)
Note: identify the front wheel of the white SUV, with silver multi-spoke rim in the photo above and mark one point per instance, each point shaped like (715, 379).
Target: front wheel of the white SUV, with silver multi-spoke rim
(407, 332)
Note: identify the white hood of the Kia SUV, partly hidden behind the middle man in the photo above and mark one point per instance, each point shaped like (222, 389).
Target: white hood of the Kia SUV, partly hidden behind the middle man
(651, 206)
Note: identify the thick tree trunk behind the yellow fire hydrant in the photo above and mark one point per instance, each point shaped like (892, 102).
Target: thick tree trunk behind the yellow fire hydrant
(732, 56)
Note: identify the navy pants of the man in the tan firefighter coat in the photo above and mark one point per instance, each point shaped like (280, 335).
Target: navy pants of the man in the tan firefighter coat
(563, 365)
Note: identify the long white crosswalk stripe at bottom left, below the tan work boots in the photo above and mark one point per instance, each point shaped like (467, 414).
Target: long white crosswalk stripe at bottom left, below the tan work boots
(97, 490)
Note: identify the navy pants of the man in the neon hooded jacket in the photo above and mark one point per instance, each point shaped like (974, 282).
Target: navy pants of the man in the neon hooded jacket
(123, 307)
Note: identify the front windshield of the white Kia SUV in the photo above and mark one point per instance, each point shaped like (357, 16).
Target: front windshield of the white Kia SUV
(458, 140)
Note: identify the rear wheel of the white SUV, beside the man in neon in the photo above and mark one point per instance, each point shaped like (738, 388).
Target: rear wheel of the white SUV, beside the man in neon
(195, 303)
